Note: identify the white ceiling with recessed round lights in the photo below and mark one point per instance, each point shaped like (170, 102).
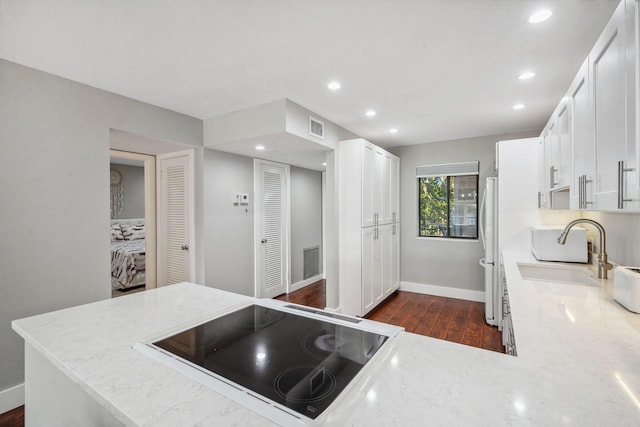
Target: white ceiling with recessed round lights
(435, 69)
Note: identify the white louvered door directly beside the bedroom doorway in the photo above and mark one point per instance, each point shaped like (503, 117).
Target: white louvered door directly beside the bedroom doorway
(176, 260)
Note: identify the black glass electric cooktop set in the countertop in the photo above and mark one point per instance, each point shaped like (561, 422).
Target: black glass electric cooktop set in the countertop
(300, 362)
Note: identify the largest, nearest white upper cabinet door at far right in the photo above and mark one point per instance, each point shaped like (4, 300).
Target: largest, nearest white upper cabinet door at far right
(613, 78)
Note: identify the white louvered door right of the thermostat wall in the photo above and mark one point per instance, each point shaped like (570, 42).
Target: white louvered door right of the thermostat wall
(272, 228)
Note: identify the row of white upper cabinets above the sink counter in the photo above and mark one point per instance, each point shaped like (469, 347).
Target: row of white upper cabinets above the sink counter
(593, 132)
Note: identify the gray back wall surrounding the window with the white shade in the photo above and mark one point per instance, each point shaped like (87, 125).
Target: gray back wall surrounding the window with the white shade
(441, 262)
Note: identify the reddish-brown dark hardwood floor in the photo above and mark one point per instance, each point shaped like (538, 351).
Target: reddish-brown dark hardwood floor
(438, 317)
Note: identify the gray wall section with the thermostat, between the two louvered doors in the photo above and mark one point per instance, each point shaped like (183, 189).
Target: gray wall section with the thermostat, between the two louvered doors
(228, 241)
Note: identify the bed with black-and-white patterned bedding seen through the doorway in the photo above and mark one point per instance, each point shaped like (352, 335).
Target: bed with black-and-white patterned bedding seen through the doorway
(127, 253)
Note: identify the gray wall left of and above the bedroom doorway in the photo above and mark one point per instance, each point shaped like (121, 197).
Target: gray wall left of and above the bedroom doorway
(54, 175)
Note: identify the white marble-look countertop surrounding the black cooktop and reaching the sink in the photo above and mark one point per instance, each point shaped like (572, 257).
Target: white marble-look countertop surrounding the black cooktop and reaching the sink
(578, 362)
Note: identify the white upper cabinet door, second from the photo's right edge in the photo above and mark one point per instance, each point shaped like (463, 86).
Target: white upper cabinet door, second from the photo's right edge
(582, 141)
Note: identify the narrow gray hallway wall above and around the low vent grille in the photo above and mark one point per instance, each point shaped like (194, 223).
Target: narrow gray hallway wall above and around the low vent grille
(306, 217)
